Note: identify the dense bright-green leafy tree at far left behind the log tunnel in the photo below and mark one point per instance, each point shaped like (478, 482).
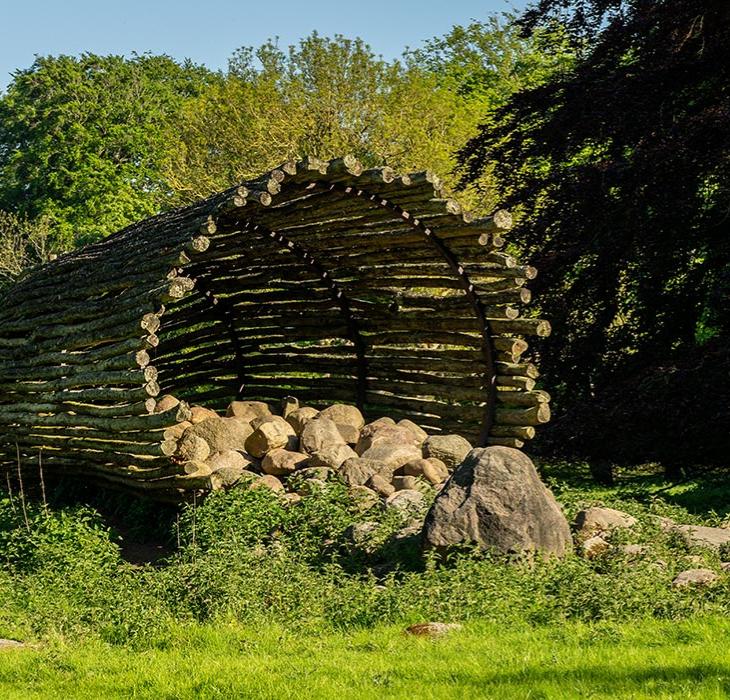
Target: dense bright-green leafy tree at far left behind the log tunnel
(82, 139)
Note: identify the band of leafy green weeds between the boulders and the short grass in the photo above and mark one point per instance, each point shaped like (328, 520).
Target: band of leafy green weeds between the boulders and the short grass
(245, 556)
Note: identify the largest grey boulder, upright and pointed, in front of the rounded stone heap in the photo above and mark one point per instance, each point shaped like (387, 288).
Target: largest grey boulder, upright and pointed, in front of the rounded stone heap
(496, 500)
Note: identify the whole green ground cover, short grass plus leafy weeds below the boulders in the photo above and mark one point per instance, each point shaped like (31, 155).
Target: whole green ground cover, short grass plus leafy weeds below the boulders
(253, 605)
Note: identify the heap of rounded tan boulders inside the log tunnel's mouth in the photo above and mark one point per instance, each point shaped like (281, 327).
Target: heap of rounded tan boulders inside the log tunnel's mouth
(397, 463)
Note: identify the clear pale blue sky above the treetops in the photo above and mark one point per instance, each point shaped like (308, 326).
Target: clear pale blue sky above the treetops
(208, 32)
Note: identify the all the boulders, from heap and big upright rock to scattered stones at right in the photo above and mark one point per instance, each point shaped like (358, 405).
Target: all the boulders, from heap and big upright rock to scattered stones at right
(491, 497)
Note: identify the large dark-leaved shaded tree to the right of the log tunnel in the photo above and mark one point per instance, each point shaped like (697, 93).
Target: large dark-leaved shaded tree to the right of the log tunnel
(620, 167)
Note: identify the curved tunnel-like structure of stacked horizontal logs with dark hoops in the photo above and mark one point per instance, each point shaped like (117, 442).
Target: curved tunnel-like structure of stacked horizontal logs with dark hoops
(317, 280)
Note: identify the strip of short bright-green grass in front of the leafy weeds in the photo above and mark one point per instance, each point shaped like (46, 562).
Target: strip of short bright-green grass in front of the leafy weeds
(647, 659)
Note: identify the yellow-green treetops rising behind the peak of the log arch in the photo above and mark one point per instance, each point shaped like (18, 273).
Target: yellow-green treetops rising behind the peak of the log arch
(326, 97)
